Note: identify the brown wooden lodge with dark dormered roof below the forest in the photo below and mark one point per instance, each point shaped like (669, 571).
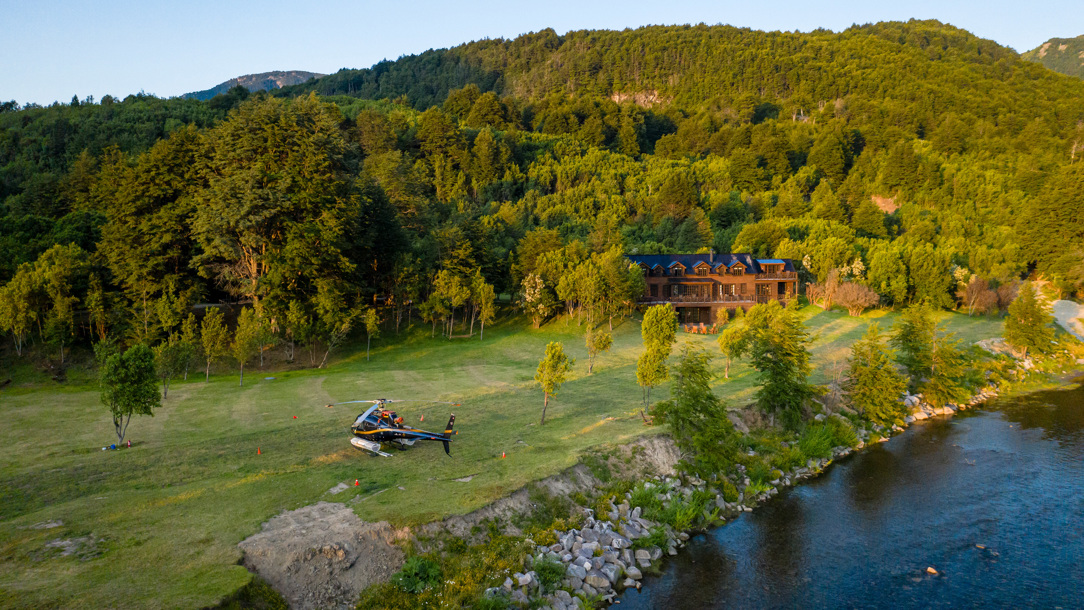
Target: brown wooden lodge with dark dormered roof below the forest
(701, 285)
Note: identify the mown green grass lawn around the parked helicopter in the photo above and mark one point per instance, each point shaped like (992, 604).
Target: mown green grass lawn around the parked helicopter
(159, 525)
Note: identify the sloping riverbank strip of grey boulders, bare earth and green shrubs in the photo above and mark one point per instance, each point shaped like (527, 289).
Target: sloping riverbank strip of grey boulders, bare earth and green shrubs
(580, 539)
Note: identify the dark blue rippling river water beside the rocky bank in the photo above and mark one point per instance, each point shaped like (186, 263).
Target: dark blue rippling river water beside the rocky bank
(993, 500)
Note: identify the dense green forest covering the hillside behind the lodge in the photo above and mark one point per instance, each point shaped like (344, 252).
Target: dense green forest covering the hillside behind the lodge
(914, 159)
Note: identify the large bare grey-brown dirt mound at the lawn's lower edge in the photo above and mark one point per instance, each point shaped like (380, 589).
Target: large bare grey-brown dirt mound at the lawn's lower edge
(322, 556)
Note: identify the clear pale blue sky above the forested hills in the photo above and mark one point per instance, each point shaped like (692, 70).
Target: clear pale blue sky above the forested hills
(56, 49)
